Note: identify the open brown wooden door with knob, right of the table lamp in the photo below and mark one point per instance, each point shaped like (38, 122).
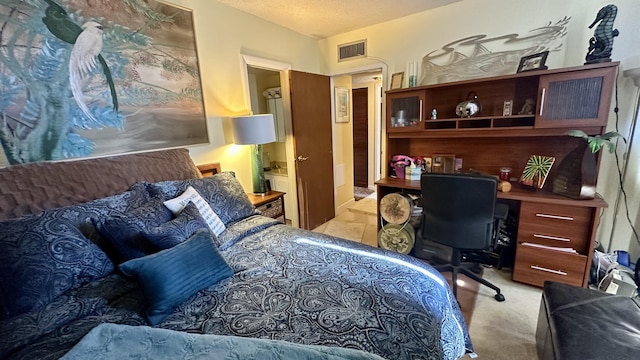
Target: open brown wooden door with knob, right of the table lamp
(311, 124)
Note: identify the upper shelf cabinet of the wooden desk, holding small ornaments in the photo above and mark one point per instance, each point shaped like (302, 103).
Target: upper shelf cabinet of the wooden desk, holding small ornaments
(541, 100)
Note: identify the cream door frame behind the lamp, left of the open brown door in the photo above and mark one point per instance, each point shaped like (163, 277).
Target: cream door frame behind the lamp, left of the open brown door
(283, 69)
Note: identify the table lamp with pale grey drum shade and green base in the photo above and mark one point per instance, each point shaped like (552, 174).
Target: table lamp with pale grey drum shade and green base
(255, 130)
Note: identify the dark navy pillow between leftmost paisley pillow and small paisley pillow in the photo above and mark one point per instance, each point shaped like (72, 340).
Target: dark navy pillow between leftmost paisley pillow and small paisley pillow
(124, 231)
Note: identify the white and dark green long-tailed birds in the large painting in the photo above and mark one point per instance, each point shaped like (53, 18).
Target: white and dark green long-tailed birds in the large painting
(85, 53)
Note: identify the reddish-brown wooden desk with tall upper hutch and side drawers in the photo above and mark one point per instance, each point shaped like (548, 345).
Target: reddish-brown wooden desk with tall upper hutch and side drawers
(568, 98)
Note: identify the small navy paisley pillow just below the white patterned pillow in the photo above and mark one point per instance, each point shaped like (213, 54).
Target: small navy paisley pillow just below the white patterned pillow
(177, 230)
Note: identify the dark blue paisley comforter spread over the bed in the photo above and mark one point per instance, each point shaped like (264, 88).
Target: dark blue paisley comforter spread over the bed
(288, 284)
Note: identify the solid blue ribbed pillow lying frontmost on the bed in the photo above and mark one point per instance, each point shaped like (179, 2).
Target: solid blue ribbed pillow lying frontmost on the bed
(172, 276)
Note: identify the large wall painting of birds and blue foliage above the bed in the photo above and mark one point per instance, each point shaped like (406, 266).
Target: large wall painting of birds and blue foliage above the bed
(140, 90)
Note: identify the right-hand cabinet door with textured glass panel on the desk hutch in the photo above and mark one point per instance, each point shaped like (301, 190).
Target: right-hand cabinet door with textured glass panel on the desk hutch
(575, 99)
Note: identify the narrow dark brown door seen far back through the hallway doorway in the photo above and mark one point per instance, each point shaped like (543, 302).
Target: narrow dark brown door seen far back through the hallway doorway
(360, 137)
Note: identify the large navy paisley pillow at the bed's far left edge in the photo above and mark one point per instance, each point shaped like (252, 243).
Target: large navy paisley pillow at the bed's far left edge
(43, 255)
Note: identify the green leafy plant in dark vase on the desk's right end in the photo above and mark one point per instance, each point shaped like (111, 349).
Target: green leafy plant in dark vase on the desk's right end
(578, 171)
